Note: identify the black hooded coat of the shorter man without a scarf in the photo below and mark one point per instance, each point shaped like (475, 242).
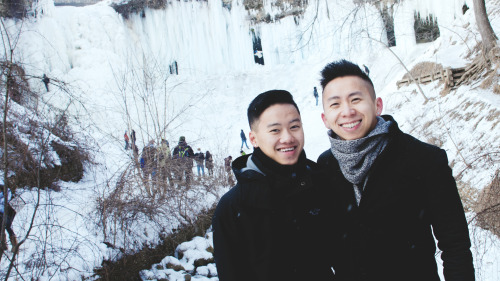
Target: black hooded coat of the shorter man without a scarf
(273, 227)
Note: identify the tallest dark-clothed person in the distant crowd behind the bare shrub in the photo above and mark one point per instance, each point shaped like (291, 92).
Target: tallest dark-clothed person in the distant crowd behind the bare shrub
(183, 158)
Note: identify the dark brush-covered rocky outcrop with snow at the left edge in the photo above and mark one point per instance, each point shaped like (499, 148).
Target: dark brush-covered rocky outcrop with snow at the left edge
(39, 150)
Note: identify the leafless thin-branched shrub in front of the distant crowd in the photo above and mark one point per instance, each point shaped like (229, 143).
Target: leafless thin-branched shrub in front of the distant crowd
(131, 199)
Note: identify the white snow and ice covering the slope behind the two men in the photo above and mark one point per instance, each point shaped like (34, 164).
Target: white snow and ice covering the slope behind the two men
(118, 71)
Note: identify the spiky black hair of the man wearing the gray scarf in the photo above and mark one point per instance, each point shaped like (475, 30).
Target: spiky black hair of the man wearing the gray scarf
(343, 68)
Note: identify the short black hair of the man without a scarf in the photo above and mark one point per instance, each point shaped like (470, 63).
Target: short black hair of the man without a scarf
(266, 100)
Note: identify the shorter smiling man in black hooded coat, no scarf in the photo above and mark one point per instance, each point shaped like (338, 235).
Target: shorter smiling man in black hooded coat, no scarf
(272, 225)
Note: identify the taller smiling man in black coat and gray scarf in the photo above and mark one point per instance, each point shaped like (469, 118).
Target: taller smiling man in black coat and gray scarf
(397, 191)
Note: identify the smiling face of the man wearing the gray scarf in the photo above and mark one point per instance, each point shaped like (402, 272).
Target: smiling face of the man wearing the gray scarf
(349, 107)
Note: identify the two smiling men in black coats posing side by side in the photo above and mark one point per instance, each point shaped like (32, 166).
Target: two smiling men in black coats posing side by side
(369, 209)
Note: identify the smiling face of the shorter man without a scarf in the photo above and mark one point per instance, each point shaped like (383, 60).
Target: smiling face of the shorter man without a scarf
(278, 133)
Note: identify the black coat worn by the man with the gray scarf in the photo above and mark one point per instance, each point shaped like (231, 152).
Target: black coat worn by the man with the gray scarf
(410, 189)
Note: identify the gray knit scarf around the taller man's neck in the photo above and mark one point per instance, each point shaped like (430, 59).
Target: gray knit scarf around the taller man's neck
(357, 156)
